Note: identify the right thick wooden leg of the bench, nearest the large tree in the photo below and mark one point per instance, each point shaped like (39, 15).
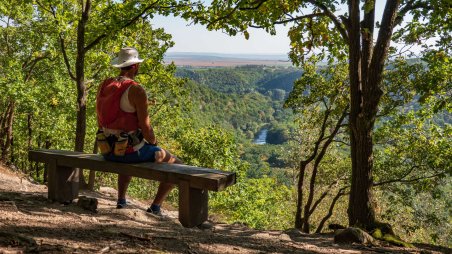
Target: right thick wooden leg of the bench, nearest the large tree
(192, 205)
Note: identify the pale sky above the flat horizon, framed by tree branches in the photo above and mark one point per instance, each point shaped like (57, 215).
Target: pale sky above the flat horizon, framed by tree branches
(196, 38)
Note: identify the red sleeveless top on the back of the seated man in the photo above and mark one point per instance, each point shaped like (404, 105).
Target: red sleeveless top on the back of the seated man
(108, 105)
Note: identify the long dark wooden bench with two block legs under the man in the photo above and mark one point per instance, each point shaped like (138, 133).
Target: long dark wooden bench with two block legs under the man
(193, 182)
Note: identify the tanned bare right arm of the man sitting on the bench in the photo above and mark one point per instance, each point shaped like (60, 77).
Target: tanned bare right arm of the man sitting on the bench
(138, 98)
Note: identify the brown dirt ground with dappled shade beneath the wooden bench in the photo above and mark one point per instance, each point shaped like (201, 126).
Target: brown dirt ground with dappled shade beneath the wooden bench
(31, 224)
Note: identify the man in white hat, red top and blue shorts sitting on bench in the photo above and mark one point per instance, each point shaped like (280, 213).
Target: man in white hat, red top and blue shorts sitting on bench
(121, 106)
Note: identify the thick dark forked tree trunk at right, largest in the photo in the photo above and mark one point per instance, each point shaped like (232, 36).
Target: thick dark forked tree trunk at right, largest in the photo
(366, 74)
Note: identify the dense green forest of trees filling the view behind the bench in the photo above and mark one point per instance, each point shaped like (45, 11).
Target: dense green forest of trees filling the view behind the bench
(358, 131)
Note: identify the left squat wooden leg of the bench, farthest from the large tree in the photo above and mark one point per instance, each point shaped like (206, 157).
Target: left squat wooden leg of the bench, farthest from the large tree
(63, 183)
